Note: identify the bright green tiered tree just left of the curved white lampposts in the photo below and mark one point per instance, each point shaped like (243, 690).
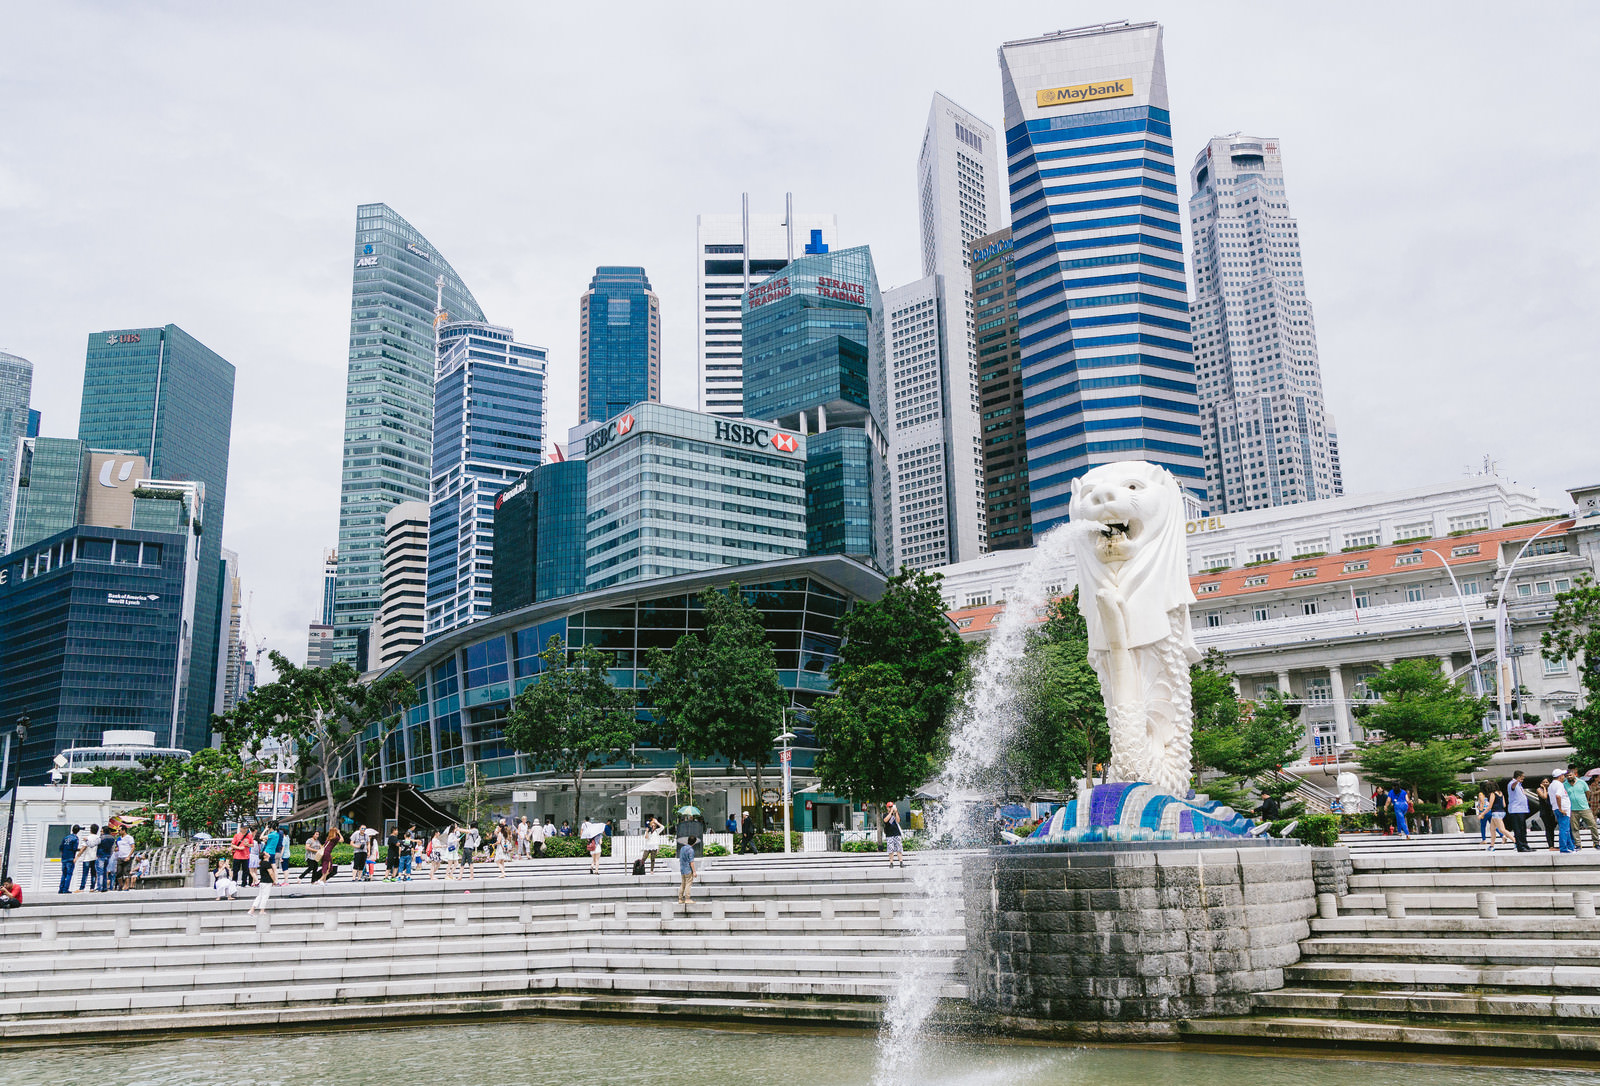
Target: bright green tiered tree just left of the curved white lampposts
(1431, 730)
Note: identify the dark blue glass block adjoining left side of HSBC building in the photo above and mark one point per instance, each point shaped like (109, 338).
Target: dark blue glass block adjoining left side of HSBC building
(540, 537)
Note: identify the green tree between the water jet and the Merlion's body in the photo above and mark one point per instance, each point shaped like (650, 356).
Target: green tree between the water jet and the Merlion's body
(1063, 733)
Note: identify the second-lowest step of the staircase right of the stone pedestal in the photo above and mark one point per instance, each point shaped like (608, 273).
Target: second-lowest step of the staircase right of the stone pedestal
(1399, 1004)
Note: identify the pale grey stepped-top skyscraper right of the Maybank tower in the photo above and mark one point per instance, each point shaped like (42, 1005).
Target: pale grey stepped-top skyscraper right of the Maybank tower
(1268, 437)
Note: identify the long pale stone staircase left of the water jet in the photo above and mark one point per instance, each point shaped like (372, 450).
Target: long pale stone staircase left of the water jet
(785, 938)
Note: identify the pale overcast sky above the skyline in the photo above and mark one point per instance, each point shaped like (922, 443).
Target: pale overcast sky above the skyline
(202, 164)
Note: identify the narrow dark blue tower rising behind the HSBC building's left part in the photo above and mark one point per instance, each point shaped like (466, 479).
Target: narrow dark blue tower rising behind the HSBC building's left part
(618, 345)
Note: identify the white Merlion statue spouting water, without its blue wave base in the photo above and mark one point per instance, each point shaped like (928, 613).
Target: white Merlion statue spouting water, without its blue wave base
(1135, 596)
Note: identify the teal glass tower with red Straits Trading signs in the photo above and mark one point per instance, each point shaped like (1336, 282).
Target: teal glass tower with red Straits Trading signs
(814, 362)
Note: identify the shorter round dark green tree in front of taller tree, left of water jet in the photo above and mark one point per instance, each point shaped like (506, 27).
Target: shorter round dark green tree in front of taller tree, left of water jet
(870, 741)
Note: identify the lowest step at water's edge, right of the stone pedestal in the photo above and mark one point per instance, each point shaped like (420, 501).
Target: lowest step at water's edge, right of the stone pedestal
(1321, 1031)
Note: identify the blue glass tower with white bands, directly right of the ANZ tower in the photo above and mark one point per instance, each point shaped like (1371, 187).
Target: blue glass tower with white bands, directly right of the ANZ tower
(489, 431)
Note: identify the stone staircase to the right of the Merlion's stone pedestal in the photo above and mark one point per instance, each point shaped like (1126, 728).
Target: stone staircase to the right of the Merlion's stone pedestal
(1444, 948)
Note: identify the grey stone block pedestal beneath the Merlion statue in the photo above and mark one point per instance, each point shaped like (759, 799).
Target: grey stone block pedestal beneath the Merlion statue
(1126, 940)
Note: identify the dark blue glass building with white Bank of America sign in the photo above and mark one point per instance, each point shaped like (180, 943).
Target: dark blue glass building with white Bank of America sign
(94, 637)
